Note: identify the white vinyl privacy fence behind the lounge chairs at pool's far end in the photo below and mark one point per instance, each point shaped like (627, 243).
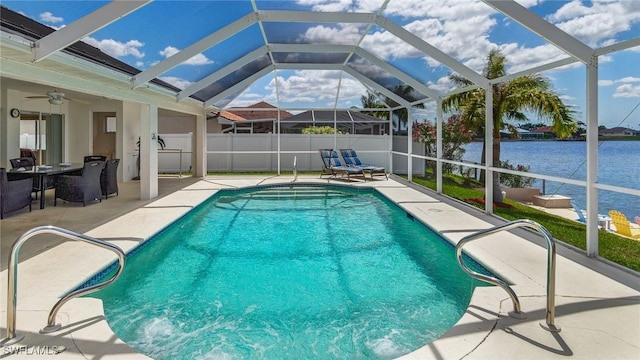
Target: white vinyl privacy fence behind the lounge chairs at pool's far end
(259, 152)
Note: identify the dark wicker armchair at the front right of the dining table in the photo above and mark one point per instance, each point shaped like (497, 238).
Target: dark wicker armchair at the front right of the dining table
(80, 188)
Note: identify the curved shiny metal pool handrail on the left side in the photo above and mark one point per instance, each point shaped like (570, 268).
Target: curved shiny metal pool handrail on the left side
(12, 284)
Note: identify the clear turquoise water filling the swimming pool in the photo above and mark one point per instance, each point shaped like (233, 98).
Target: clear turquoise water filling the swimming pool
(289, 273)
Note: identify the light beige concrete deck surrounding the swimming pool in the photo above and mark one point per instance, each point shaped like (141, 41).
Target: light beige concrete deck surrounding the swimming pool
(597, 305)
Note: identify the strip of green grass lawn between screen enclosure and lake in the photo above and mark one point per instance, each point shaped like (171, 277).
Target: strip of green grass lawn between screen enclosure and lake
(618, 249)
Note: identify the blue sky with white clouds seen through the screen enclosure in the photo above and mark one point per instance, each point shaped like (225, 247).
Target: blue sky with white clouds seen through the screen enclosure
(466, 30)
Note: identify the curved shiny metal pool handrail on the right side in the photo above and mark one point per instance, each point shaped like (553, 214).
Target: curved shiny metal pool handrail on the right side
(551, 269)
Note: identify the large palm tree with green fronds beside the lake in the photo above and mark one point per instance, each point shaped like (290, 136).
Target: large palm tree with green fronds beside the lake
(511, 99)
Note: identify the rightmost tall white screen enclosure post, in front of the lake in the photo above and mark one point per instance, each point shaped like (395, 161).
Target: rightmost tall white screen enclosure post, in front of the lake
(592, 156)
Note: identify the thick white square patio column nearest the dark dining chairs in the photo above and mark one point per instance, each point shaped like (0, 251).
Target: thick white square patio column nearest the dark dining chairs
(148, 151)
